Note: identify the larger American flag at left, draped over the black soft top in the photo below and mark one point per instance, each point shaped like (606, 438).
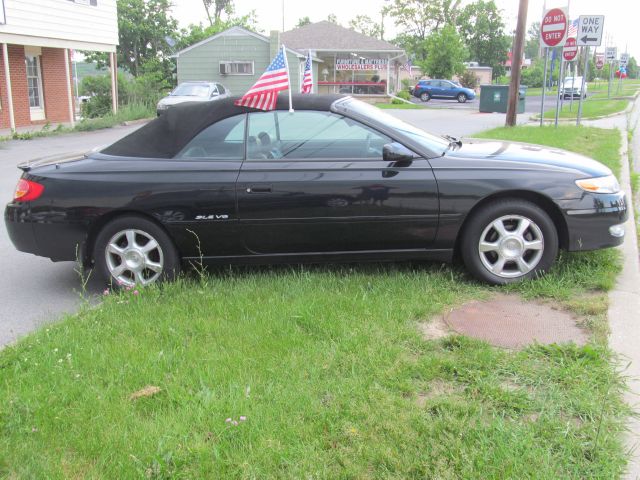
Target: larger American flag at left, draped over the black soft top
(264, 93)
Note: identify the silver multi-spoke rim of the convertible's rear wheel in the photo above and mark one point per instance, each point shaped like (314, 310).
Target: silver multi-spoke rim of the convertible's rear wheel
(134, 258)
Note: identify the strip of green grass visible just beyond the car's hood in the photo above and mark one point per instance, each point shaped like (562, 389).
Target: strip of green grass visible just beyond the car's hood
(598, 143)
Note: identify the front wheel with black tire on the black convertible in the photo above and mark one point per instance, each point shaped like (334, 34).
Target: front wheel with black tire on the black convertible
(541, 234)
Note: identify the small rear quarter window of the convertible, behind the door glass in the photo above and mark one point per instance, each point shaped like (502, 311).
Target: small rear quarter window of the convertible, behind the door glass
(223, 140)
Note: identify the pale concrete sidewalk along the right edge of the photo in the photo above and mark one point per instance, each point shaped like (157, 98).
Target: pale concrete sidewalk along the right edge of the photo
(624, 300)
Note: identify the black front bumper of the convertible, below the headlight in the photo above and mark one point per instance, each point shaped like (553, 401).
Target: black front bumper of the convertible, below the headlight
(590, 221)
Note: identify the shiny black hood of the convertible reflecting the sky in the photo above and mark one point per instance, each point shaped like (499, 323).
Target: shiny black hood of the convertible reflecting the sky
(528, 156)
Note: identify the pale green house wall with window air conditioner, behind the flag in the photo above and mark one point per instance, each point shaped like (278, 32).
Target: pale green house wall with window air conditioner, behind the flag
(237, 57)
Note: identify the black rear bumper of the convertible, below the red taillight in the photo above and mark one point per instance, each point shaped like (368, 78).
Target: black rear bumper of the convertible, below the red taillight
(45, 235)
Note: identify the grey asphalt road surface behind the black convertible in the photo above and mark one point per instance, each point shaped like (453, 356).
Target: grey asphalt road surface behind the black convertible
(34, 290)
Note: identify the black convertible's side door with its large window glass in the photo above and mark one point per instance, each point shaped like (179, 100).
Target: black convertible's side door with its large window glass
(315, 182)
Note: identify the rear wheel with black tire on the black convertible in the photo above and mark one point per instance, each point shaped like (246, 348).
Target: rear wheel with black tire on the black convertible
(163, 260)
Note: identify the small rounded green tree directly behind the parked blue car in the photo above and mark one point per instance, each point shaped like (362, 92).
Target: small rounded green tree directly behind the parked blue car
(446, 53)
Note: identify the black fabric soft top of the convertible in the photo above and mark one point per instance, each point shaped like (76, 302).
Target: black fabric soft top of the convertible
(165, 136)
